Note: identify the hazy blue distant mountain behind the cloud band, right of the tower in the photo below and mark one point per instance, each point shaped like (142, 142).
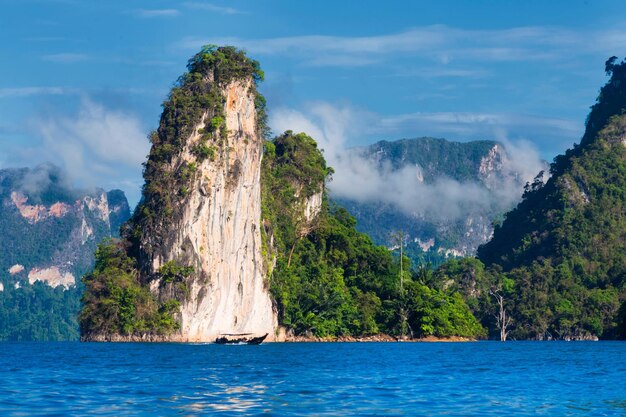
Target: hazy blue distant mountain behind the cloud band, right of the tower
(432, 237)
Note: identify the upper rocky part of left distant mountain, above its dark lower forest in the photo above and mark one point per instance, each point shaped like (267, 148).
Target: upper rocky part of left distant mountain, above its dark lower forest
(49, 229)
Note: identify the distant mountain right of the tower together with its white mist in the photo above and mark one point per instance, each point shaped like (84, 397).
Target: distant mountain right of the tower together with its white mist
(443, 195)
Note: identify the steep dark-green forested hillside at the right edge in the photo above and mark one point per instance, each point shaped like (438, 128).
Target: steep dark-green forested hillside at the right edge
(558, 257)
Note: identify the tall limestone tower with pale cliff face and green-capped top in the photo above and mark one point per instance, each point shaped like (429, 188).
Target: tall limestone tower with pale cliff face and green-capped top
(196, 234)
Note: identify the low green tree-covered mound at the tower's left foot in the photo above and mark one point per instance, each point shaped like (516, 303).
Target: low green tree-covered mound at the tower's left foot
(115, 302)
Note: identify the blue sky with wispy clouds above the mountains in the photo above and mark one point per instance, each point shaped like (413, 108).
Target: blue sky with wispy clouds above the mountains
(81, 82)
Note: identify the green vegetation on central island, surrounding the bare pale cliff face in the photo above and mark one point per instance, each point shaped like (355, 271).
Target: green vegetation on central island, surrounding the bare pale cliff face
(326, 278)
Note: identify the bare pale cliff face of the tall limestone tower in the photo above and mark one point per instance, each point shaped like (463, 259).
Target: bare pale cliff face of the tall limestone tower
(218, 232)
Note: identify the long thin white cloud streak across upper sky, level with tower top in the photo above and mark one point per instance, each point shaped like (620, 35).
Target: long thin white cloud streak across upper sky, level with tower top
(437, 43)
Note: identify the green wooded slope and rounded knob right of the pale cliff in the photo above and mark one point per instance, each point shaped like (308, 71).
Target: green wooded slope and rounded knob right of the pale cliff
(329, 279)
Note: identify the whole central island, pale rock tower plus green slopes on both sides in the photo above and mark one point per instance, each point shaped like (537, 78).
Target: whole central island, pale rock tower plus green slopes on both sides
(322, 276)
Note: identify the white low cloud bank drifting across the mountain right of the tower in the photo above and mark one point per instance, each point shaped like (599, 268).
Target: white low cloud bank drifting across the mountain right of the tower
(361, 177)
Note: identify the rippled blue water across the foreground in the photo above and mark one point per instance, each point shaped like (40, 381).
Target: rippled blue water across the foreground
(318, 379)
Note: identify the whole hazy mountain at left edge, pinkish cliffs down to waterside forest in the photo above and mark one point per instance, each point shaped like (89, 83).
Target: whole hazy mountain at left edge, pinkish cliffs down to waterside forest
(49, 231)
